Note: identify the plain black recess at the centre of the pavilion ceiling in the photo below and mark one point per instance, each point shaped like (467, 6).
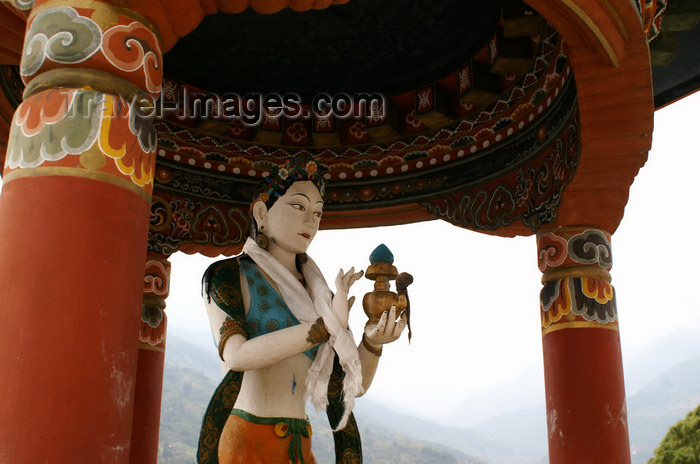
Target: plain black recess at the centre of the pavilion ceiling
(364, 45)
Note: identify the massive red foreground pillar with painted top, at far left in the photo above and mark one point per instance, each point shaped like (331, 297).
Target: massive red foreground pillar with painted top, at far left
(74, 213)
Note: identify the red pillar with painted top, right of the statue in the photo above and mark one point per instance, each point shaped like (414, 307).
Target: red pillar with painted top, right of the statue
(586, 409)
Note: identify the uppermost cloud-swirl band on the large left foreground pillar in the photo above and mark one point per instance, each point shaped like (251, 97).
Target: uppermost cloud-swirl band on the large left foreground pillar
(85, 43)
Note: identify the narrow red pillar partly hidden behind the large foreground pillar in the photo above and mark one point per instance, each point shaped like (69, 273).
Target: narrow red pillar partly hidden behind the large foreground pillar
(151, 359)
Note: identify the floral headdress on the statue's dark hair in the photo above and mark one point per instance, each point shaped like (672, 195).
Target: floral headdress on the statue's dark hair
(296, 169)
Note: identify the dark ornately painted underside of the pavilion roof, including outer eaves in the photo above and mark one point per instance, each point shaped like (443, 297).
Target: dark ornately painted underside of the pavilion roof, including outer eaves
(479, 121)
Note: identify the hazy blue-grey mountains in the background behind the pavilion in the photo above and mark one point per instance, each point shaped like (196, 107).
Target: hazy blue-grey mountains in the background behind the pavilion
(665, 380)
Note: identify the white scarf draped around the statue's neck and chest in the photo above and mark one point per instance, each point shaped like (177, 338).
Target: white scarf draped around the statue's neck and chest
(308, 307)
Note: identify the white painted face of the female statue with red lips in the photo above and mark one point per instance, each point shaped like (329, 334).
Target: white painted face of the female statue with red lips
(292, 222)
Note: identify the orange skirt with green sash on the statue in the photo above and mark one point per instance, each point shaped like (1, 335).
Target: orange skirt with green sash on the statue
(248, 439)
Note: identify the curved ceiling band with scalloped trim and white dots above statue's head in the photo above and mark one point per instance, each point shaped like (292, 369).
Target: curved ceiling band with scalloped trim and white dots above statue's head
(529, 98)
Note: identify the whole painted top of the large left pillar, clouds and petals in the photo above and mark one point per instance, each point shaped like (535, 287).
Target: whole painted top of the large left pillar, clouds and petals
(92, 71)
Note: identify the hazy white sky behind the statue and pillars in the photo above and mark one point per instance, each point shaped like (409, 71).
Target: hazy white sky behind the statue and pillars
(475, 298)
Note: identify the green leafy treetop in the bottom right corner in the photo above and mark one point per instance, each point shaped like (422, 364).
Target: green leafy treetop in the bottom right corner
(681, 445)
